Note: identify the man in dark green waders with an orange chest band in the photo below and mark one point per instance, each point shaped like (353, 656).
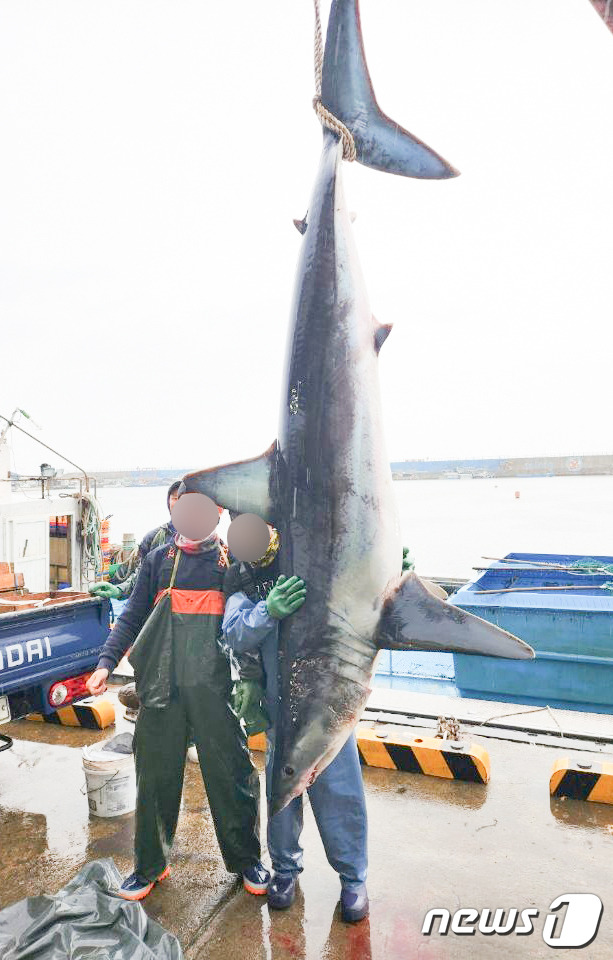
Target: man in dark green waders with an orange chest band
(173, 620)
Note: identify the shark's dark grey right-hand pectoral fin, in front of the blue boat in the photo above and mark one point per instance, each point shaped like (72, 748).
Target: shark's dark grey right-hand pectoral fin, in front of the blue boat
(412, 618)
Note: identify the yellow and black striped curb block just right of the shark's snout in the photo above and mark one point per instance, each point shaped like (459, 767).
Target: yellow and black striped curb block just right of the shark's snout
(431, 756)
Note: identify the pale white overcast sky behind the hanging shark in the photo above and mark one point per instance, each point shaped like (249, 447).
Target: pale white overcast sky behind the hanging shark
(153, 157)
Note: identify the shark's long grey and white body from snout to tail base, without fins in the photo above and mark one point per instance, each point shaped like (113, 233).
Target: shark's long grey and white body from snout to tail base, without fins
(339, 530)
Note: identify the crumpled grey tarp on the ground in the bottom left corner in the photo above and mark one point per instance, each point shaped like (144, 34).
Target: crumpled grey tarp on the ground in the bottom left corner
(84, 919)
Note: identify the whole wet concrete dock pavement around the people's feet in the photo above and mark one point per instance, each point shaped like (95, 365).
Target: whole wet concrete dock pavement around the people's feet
(433, 843)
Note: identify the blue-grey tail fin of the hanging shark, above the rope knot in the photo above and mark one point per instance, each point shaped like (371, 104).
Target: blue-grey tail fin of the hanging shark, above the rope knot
(347, 92)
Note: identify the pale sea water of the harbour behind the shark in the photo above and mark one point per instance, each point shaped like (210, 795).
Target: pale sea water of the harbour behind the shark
(449, 525)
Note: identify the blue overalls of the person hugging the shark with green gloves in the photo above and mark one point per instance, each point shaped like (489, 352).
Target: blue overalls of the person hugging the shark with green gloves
(337, 796)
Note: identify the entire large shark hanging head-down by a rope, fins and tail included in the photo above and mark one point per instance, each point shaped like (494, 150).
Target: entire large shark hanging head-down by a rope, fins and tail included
(325, 483)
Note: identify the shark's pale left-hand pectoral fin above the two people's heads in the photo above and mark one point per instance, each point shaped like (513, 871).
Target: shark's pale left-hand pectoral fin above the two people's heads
(247, 486)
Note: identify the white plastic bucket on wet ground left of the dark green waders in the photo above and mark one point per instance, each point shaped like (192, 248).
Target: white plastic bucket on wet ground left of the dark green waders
(110, 780)
